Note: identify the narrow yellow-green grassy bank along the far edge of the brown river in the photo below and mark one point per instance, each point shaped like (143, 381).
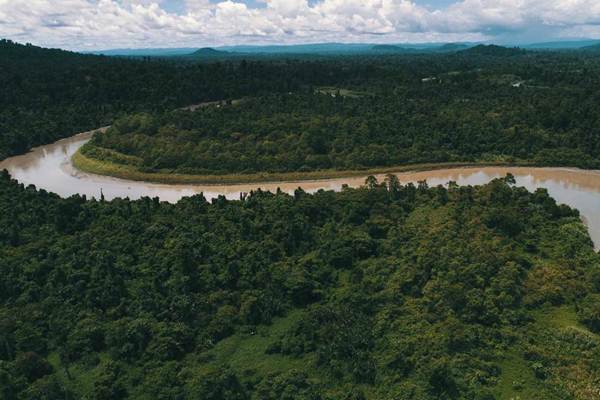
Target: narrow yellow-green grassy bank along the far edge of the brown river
(129, 172)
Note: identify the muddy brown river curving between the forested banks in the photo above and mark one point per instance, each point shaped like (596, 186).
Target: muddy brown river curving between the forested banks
(49, 167)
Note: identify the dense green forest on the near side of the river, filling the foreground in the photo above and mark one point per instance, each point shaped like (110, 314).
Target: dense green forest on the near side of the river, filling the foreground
(382, 292)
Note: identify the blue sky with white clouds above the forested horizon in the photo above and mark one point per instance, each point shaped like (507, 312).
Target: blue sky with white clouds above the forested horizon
(102, 24)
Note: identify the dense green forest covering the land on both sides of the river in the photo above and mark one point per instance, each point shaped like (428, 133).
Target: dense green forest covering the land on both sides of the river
(381, 292)
